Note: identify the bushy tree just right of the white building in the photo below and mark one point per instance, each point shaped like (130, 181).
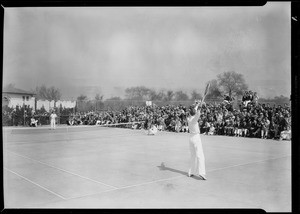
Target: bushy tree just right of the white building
(52, 93)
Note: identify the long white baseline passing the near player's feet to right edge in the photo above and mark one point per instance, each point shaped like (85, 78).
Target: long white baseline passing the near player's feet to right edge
(180, 176)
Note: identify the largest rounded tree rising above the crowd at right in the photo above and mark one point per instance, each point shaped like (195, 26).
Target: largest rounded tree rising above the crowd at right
(232, 83)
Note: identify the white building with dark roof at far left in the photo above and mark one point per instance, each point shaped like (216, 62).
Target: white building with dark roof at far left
(13, 97)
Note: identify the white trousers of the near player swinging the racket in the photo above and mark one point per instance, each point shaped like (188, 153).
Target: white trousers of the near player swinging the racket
(197, 166)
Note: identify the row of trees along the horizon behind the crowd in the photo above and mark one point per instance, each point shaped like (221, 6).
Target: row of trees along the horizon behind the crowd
(228, 83)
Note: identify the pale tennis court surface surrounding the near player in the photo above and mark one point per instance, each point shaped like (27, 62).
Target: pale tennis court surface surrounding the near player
(122, 168)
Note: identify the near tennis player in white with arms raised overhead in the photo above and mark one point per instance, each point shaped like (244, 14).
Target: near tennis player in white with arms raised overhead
(197, 166)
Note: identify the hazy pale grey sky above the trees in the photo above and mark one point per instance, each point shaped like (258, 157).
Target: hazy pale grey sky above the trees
(108, 49)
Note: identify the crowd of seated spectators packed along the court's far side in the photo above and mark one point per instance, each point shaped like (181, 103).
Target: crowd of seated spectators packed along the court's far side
(250, 119)
